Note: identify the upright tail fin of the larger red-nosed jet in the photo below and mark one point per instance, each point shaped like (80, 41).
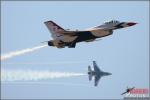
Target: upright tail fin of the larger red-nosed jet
(54, 28)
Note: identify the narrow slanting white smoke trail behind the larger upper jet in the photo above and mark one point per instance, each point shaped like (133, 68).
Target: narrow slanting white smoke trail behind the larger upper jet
(20, 52)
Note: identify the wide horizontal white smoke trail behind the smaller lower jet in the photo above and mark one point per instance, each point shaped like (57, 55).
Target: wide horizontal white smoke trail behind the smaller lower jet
(30, 75)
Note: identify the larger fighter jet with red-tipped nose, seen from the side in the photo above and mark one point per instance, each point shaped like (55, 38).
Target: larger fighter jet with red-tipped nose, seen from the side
(63, 38)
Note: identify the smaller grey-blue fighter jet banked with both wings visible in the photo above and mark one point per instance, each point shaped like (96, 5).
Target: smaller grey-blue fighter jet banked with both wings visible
(97, 73)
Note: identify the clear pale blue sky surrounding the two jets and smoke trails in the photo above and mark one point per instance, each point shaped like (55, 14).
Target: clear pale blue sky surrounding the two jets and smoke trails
(125, 53)
